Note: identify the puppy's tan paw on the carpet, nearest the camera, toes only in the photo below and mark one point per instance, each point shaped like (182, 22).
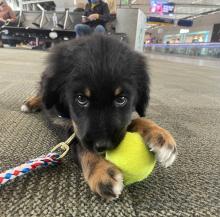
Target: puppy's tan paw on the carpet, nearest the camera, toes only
(106, 180)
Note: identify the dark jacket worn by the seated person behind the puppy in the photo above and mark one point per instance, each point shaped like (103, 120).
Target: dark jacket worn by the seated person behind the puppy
(102, 9)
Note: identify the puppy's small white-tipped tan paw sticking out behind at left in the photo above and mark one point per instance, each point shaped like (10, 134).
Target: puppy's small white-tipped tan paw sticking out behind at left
(32, 104)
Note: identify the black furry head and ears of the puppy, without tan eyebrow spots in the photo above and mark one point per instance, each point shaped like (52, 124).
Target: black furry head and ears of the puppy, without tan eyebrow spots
(99, 64)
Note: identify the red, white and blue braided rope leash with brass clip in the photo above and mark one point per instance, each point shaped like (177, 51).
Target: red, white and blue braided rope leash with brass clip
(50, 159)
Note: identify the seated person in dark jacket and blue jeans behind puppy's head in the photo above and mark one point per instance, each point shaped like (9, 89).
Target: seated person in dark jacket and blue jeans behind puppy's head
(96, 15)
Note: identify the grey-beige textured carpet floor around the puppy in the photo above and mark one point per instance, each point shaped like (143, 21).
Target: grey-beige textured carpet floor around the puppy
(185, 100)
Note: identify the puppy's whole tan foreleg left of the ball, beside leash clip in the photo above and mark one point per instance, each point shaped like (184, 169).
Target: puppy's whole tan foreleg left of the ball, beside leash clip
(102, 177)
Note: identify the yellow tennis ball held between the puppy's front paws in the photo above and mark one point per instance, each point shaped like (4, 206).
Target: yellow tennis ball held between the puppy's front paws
(133, 158)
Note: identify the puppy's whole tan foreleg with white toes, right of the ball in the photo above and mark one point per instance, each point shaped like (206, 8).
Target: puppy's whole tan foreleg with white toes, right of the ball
(158, 139)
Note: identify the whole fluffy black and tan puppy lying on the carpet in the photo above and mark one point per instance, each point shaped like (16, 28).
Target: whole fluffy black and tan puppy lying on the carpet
(96, 83)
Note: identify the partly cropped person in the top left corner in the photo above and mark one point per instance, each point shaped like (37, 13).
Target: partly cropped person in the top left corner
(7, 16)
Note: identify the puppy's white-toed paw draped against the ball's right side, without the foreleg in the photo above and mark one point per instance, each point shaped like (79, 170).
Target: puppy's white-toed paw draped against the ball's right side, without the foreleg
(163, 145)
